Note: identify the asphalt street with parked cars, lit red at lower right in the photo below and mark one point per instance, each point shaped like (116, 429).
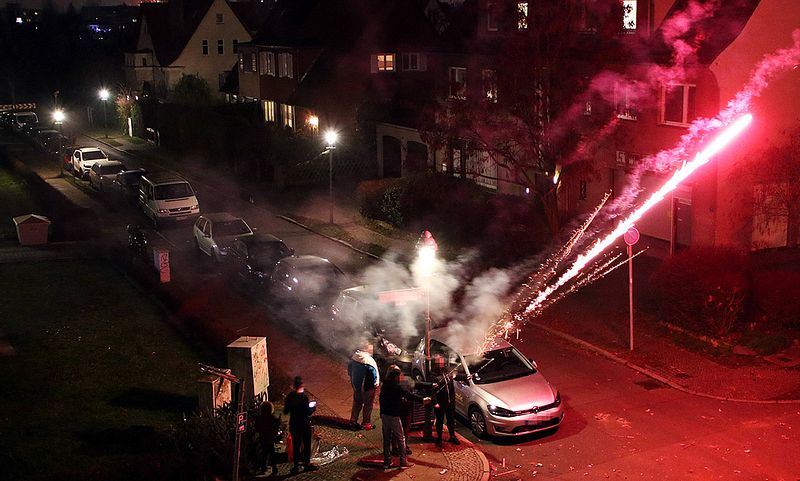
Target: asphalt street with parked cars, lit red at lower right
(619, 424)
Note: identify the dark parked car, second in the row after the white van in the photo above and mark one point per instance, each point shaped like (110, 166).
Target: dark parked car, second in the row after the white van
(253, 257)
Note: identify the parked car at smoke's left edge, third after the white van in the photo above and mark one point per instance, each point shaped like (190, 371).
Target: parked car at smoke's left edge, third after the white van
(306, 282)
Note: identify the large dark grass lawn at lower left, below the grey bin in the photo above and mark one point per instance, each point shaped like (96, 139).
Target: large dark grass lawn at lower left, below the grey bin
(98, 376)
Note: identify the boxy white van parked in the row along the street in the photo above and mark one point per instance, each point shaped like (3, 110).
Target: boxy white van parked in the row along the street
(167, 196)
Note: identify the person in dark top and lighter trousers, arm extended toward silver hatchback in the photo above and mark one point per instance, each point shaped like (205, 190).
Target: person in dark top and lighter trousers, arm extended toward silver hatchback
(391, 405)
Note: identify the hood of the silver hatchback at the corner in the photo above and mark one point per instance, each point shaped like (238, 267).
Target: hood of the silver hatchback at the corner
(519, 394)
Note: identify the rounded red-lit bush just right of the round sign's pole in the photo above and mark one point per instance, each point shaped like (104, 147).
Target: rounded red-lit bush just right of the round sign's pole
(702, 289)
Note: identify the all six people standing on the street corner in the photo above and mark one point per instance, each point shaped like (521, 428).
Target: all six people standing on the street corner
(397, 397)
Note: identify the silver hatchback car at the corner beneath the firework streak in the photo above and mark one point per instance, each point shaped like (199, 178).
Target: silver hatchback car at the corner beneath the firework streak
(500, 392)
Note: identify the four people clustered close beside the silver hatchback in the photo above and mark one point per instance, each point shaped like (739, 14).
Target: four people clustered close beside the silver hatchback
(397, 397)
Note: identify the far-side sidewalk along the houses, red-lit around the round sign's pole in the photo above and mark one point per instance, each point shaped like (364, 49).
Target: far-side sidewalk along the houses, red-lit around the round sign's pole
(599, 327)
